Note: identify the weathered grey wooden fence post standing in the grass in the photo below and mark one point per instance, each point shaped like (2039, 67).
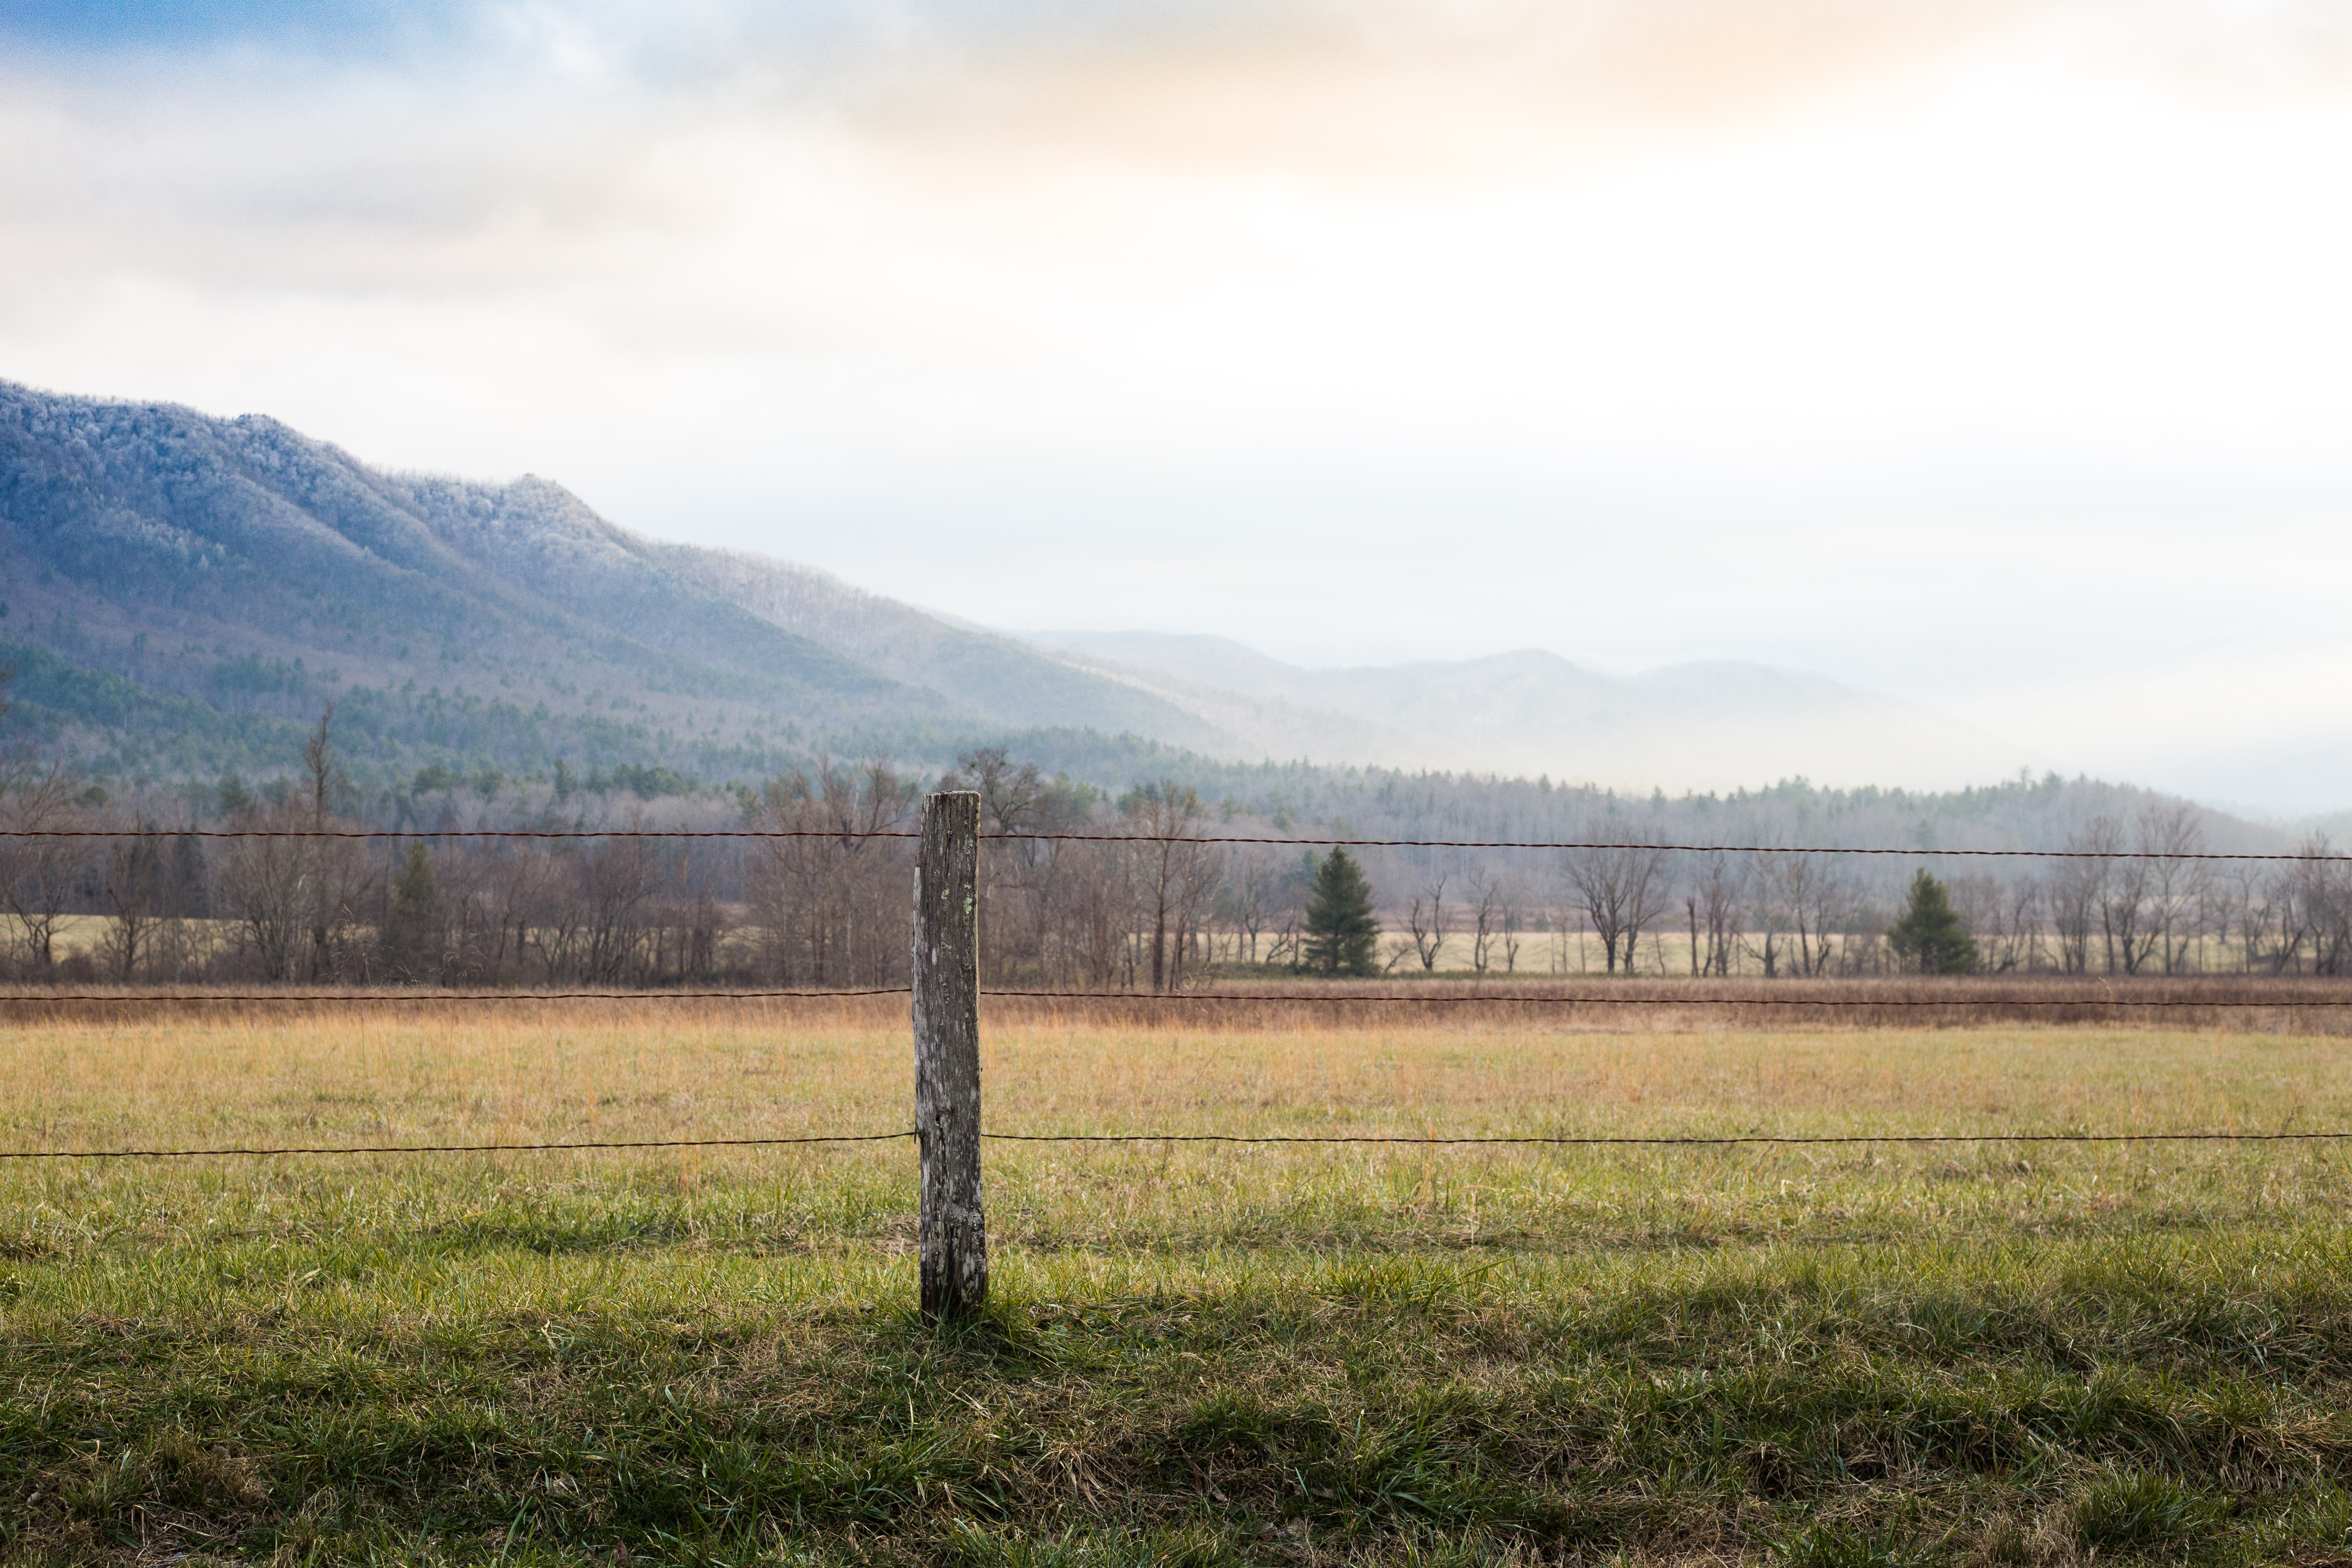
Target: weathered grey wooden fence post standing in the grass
(951, 1231)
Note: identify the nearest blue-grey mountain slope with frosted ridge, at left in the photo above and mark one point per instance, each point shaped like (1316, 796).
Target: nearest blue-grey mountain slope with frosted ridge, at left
(185, 594)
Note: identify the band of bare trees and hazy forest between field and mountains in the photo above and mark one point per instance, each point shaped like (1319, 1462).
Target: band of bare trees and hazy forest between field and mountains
(1151, 904)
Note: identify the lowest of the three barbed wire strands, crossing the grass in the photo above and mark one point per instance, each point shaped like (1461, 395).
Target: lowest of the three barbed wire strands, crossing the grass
(1224, 1139)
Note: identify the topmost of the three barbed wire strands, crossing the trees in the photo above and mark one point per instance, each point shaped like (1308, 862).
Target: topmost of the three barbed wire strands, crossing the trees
(846, 836)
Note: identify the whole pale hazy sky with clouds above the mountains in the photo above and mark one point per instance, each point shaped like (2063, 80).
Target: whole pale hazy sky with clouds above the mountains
(1996, 354)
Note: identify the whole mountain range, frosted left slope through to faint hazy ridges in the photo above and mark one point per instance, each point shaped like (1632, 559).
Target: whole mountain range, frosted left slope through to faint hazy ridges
(185, 594)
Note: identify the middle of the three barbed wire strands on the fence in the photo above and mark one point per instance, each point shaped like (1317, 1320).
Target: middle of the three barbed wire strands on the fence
(1335, 998)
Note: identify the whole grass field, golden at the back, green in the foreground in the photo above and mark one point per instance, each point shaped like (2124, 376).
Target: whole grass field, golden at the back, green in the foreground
(1194, 1355)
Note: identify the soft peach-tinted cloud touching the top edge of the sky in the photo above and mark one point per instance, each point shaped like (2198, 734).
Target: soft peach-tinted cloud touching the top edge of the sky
(1405, 86)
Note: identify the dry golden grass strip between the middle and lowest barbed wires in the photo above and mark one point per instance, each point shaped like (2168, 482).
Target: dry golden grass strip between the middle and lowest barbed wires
(721, 1068)
